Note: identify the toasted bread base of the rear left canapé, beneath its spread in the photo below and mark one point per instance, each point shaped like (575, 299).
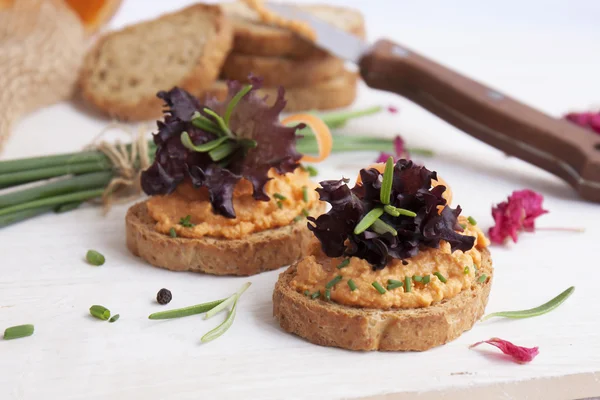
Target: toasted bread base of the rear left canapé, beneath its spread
(258, 252)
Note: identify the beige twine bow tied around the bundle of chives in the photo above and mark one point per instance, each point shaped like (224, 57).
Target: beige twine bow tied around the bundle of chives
(129, 161)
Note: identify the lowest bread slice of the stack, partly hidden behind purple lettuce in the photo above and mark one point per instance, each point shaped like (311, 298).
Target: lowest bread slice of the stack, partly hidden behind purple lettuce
(334, 93)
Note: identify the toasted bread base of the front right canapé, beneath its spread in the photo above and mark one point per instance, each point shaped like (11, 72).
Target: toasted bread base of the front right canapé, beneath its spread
(418, 329)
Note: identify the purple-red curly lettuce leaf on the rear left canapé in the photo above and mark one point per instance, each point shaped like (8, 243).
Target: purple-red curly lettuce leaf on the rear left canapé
(251, 119)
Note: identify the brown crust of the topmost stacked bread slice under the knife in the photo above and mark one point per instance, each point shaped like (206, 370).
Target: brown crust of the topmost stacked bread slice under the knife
(269, 41)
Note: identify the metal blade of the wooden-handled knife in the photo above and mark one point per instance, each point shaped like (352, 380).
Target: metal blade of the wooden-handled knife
(329, 38)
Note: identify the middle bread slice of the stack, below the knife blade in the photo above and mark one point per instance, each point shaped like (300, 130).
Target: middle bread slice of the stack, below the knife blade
(278, 71)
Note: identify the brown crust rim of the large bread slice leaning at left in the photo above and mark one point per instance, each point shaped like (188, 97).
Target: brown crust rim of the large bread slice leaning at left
(201, 77)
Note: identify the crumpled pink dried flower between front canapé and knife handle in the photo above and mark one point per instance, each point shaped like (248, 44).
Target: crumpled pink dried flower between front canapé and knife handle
(516, 214)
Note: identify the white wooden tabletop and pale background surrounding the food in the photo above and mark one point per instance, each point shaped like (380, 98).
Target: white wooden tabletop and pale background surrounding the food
(542, 52)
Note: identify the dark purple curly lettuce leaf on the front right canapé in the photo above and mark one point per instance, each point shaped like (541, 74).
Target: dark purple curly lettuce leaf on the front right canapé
(411, 190)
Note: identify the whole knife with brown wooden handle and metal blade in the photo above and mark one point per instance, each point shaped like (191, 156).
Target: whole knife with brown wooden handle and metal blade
(557, 146)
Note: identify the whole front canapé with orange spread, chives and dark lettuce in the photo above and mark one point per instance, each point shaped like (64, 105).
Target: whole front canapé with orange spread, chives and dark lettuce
(395, 268)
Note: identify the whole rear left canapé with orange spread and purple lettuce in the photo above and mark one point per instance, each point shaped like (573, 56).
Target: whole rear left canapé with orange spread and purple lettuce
(228, 192)
